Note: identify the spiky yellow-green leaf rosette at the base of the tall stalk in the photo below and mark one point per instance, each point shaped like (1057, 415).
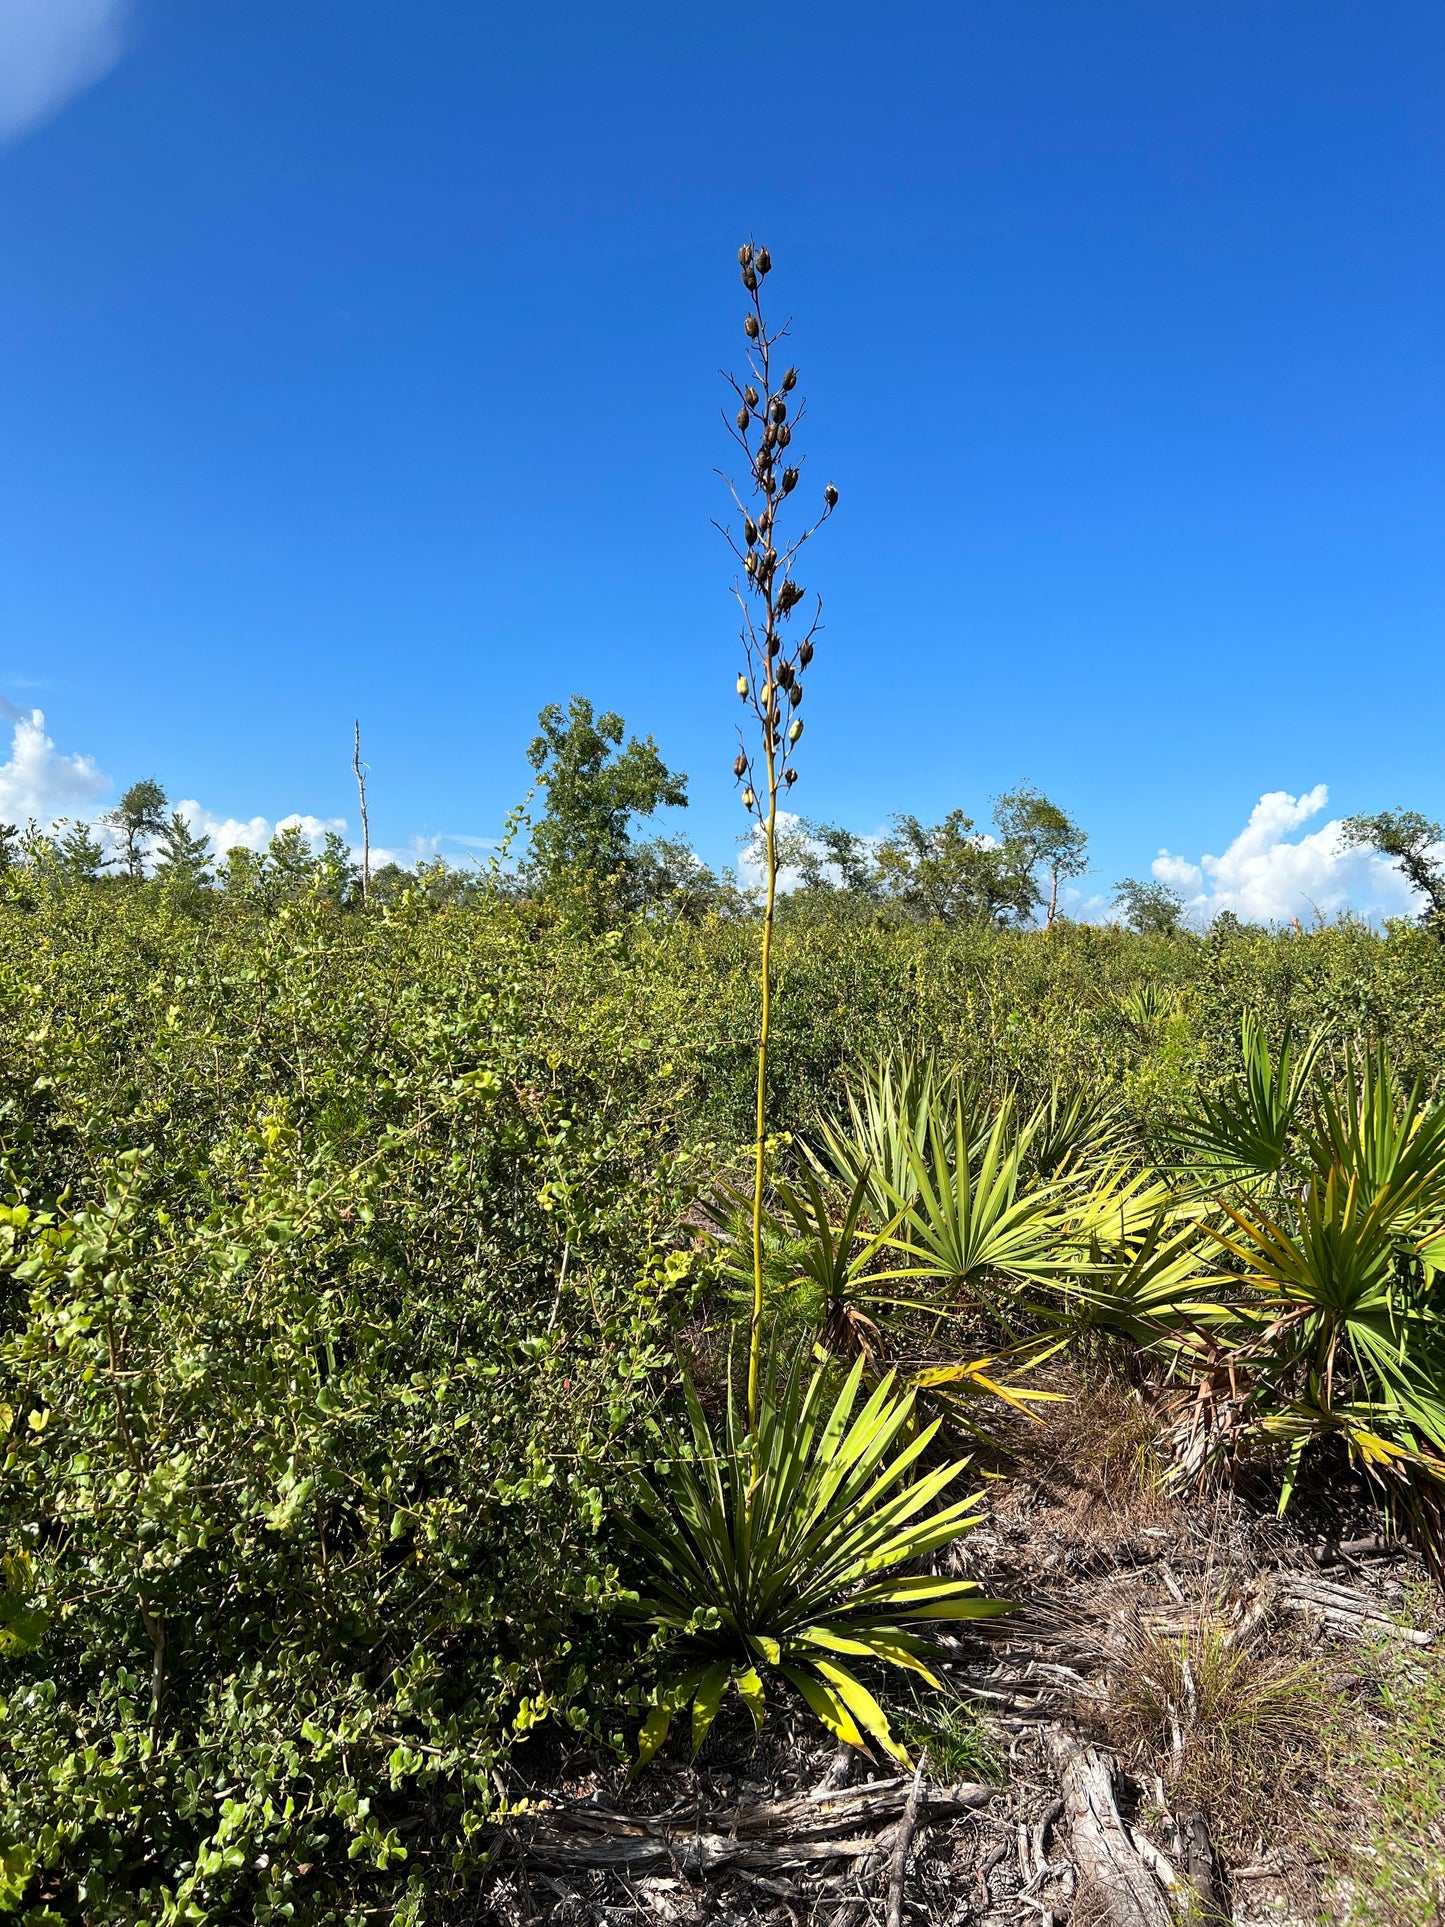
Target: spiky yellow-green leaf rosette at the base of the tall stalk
(783, 1550)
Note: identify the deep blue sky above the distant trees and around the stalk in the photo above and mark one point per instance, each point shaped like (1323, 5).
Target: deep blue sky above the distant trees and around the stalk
(363, 361)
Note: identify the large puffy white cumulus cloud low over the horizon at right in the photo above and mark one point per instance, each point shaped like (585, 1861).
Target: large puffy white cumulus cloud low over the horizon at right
(1271, 876)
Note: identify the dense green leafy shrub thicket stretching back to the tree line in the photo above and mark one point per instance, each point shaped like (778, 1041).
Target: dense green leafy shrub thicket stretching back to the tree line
(342, 1267)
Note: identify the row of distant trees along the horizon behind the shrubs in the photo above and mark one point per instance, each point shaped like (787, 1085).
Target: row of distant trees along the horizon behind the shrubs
(583, 855)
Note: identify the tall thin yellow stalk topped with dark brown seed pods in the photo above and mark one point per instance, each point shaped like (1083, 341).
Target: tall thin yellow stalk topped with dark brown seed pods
(775, 658)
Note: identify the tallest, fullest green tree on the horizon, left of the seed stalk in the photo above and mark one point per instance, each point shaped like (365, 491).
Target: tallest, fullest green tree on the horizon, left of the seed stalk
(583, 847)
